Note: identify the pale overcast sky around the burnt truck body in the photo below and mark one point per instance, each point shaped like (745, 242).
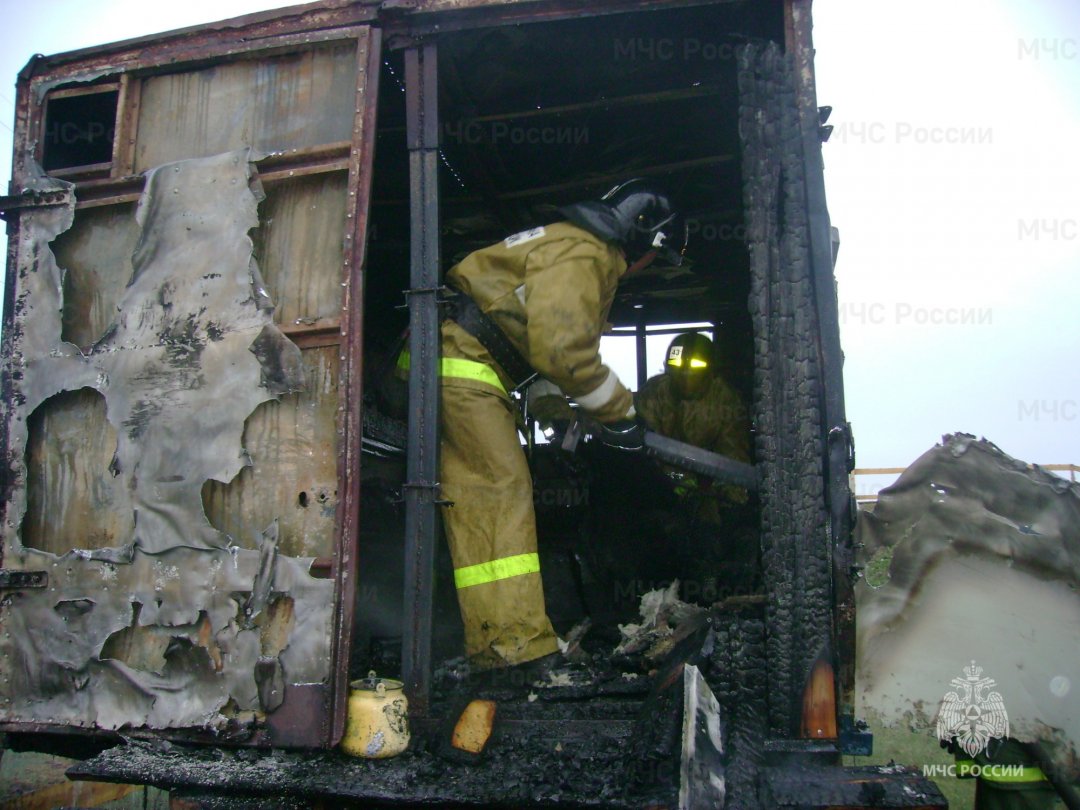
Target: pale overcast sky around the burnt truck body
(953, 174)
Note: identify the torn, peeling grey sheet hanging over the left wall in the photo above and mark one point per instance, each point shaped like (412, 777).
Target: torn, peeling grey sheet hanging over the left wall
(170, 627)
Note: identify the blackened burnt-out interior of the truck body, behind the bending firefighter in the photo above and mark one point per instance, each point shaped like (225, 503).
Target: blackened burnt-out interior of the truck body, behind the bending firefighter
(532, 117)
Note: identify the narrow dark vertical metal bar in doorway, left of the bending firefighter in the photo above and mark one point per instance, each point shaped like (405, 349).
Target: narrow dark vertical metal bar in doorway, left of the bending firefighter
(422, 96)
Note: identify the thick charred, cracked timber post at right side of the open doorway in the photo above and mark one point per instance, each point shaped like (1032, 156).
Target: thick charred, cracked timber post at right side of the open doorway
(796, 563)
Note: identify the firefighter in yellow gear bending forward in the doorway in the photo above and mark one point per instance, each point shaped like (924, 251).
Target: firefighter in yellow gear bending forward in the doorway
(549, 291)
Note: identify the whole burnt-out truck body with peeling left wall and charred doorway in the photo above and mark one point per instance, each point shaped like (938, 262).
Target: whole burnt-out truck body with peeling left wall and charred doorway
(217, 238)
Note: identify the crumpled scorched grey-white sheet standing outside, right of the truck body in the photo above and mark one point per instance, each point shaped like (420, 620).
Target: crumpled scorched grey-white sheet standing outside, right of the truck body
(974, 570)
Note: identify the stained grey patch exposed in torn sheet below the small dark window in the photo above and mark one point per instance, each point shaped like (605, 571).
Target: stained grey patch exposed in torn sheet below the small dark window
(97, 258)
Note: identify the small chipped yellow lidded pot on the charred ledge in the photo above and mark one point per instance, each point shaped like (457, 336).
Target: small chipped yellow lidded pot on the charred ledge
(377, 724)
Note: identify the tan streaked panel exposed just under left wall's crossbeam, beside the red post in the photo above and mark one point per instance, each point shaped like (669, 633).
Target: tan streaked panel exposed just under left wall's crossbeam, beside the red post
(300, 247)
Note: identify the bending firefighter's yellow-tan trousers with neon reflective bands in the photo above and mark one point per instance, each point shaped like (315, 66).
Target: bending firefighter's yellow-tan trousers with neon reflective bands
(492, 526)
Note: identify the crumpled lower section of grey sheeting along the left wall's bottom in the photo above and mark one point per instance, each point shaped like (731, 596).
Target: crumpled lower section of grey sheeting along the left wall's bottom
(190, 650)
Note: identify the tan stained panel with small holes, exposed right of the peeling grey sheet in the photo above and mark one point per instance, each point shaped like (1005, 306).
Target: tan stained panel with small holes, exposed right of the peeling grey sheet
(293, 476)
